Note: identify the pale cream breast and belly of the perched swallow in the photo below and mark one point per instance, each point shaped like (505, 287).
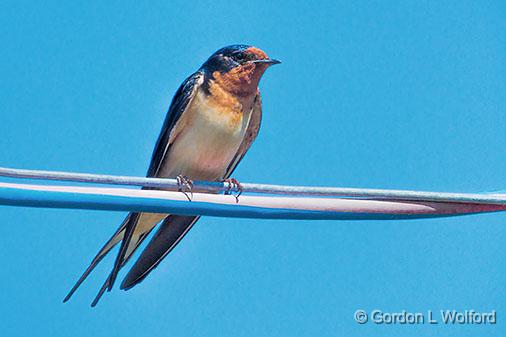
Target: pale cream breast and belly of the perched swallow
(206, 144)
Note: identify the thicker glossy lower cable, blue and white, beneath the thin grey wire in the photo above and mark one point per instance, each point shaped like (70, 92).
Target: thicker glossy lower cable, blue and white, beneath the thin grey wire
(211, 204)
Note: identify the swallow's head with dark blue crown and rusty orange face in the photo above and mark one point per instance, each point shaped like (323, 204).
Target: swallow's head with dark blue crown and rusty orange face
(237, 68)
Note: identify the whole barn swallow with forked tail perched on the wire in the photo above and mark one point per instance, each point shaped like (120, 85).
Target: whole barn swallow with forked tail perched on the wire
(212, 121)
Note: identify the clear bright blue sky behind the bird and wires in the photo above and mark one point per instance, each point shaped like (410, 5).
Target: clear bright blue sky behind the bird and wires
(370, 94)
